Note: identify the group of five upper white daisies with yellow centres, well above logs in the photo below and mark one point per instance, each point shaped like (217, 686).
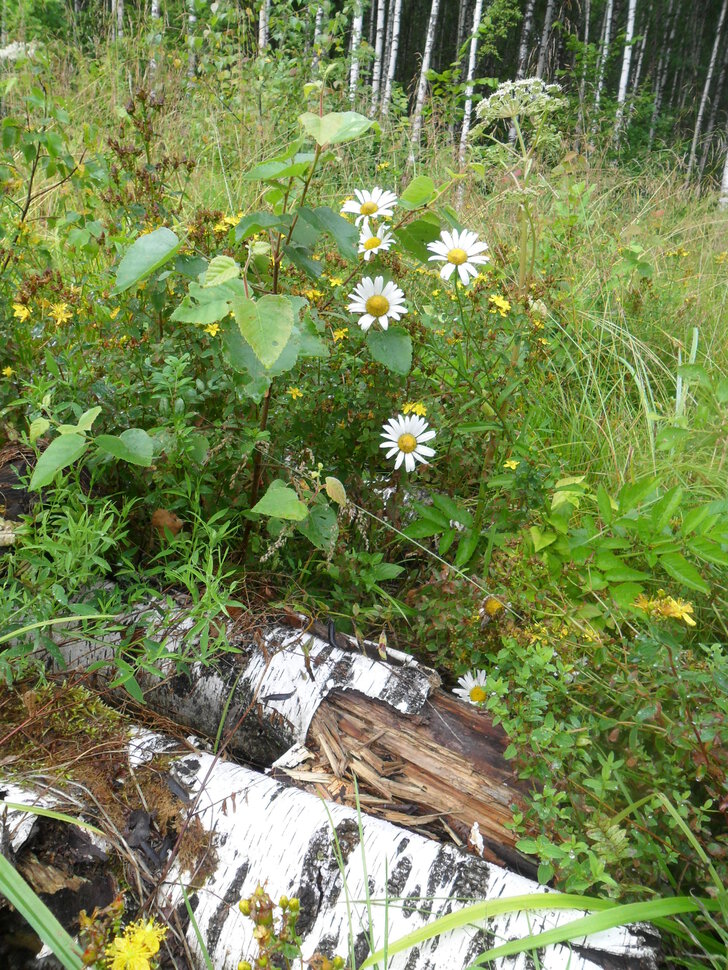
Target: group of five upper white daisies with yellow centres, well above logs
(378, 302)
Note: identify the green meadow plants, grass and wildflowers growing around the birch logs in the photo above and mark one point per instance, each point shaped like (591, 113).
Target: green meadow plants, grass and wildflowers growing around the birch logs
(476, 402)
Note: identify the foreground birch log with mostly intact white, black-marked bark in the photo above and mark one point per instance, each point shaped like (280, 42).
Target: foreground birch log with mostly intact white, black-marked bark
(265, 833)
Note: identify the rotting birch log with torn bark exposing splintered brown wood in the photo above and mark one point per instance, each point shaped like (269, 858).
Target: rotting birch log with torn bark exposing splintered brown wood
(420, 755)
